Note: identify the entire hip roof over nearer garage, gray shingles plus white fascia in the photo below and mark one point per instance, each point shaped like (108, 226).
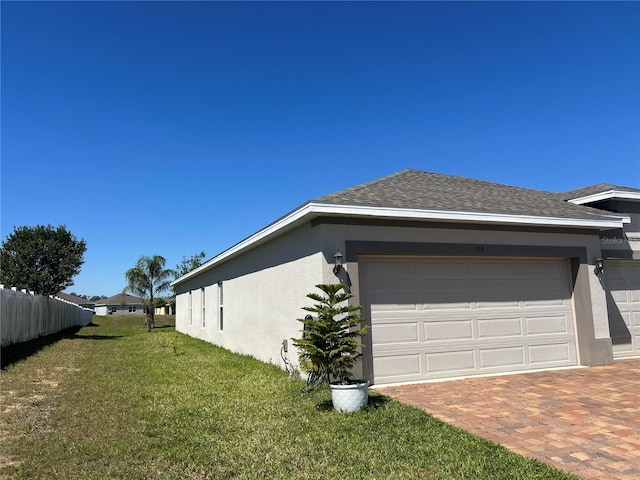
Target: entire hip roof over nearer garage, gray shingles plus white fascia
(429, 196)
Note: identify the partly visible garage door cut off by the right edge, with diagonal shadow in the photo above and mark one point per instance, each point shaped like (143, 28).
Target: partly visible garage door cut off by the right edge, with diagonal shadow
(622, 283)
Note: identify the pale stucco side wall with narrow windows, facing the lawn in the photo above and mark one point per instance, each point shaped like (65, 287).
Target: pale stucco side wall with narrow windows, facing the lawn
(263, 292)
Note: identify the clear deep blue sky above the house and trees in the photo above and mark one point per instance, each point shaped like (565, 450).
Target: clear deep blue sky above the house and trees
(174, 127)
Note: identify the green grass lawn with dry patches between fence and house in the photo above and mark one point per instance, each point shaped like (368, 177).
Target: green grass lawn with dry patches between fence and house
(112, 401)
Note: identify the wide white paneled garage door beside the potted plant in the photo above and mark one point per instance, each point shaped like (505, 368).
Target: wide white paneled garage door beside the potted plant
(442, 317)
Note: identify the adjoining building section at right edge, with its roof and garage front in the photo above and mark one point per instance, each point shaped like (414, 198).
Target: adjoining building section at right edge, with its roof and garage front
(621, 250)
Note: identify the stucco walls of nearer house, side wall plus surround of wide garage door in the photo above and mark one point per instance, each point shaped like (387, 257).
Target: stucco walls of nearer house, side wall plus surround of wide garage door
(266, 287)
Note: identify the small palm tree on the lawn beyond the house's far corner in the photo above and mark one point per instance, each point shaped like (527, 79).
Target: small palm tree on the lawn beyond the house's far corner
(148, 279)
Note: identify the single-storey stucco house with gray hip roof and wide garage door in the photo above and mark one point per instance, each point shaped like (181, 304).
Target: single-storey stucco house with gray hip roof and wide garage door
(456, 276)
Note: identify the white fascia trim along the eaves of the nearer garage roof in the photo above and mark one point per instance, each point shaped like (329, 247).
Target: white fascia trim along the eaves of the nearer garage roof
(312, 210)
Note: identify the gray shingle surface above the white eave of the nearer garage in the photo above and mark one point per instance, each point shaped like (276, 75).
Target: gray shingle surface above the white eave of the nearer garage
(413, 189)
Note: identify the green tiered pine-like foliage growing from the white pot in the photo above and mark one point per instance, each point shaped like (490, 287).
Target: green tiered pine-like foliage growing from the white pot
(330, 344)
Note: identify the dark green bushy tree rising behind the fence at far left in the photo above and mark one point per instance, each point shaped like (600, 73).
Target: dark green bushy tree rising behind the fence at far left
(41, 259)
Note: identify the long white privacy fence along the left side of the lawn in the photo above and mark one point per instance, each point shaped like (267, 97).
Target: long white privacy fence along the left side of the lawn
(24, 315)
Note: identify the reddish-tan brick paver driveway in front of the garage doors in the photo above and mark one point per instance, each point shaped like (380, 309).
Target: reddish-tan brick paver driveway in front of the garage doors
(585, 421)
